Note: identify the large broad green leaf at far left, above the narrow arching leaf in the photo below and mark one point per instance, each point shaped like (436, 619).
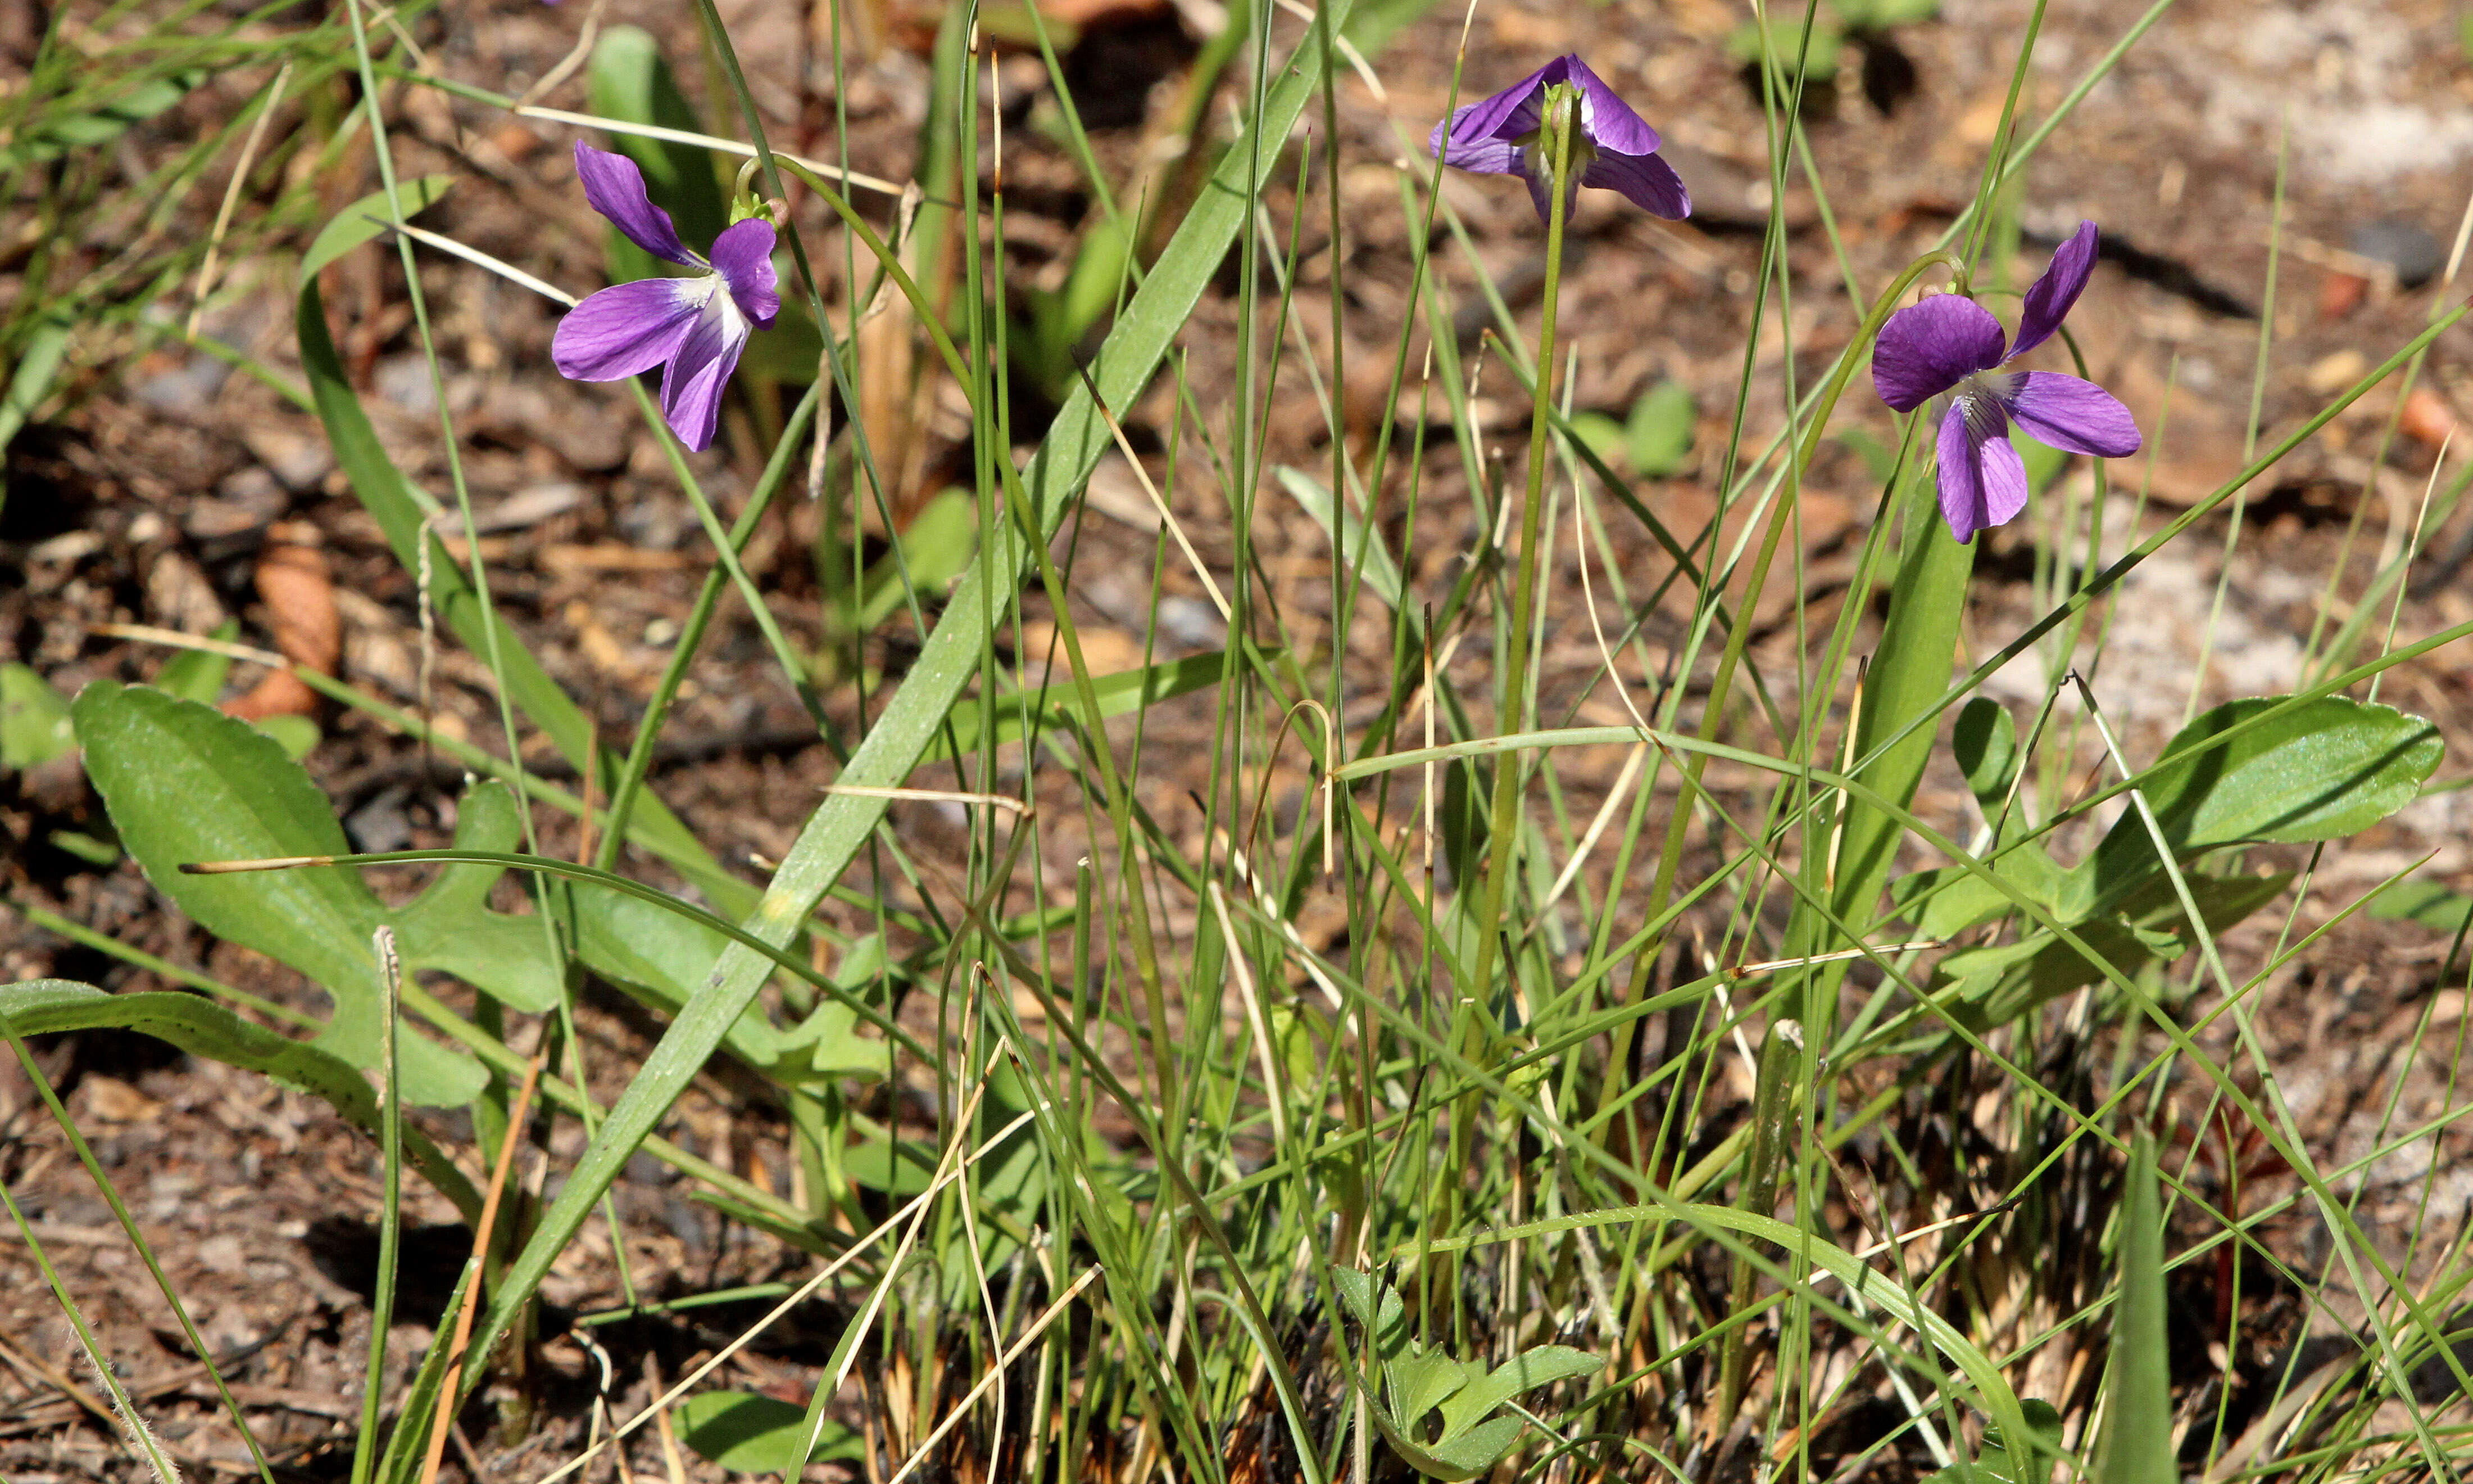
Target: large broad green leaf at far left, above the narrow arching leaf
(187, 783)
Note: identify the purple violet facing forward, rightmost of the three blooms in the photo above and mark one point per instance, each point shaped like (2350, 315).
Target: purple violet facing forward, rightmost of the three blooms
(1950, 348)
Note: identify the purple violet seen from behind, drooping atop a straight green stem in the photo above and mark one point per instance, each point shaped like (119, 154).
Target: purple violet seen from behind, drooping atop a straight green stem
(1611, 150)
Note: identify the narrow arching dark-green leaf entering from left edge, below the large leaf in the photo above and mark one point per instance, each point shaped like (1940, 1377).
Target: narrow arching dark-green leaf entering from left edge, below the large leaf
(204, 1028)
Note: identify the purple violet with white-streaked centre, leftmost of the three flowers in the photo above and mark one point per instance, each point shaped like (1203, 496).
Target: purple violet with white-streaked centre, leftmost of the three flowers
(694, 328)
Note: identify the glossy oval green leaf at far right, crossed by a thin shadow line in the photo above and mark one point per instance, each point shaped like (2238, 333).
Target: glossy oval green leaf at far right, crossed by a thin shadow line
(2313, 773)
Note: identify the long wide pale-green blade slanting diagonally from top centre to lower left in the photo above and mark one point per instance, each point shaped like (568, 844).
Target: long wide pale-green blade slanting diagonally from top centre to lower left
(946, 664)
